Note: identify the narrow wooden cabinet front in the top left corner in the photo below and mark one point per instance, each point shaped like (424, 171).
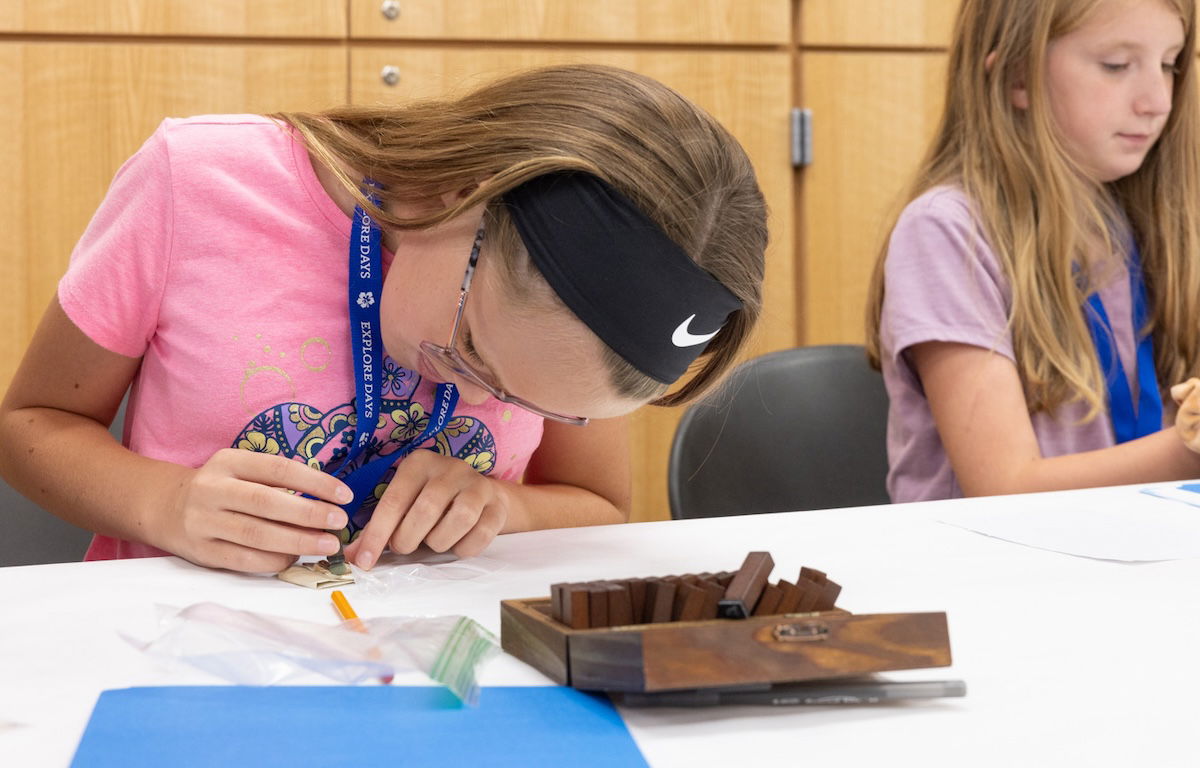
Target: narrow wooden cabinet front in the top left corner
(217, 19)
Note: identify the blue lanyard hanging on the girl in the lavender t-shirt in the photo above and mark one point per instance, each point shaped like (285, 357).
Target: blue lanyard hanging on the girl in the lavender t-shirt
(1148, 419)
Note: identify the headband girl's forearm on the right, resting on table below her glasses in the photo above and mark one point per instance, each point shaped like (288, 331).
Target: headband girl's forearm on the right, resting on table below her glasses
(556, 506)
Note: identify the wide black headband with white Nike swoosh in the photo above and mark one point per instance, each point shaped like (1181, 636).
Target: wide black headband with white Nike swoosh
(620, 273)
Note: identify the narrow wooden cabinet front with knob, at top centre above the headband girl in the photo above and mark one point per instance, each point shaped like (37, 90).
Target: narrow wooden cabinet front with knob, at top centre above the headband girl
(747, 22)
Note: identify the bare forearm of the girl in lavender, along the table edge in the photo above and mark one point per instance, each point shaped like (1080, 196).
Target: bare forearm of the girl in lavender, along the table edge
(1157, 458)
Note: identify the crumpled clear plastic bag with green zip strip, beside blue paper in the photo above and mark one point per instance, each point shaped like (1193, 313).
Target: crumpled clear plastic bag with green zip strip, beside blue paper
(257, 650)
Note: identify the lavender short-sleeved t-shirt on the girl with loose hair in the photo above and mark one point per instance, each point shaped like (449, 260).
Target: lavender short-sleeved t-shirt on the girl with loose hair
(945, 284)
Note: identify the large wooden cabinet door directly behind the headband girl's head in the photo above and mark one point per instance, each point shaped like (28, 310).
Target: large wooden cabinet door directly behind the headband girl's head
(749, 93)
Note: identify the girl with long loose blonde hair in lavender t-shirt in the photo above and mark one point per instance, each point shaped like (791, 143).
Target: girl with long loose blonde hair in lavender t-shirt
(1043, 284)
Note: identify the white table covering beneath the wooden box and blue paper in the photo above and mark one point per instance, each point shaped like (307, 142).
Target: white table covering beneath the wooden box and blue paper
(1069, 662)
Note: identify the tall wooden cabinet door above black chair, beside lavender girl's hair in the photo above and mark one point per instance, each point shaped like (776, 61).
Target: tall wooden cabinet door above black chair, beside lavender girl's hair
(873, 118)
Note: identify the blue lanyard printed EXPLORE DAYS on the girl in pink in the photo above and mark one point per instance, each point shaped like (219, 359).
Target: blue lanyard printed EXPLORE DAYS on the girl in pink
(365, 289)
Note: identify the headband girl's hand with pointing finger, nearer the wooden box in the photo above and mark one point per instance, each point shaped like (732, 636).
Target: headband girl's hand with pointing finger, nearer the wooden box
(435, 500)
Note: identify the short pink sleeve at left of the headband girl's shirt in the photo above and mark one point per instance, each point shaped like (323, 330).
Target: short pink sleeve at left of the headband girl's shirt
(115, 284)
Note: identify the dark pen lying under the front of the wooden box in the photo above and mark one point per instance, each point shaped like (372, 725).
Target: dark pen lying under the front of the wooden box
(790, 694)
